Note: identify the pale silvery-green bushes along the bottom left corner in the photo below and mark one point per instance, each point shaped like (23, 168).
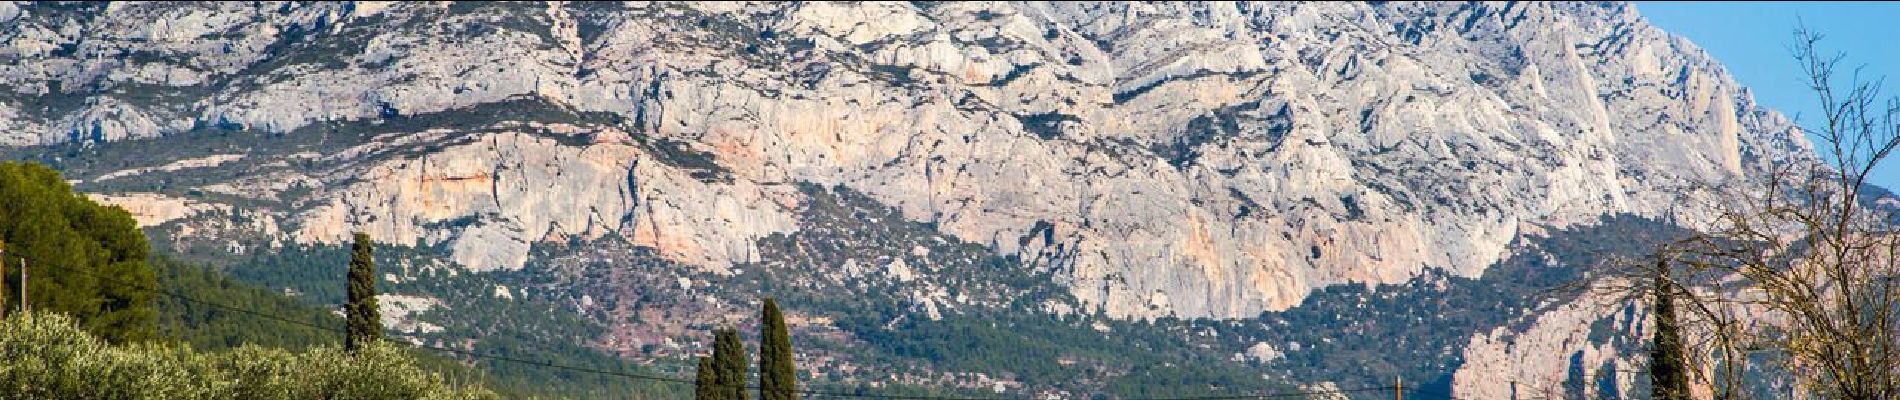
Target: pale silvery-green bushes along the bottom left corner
(50, 357)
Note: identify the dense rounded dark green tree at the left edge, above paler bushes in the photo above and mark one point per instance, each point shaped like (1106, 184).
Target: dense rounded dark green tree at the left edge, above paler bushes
(85, 259)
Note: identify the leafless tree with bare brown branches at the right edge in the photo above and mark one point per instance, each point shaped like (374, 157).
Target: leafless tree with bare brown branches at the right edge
(1796, 270)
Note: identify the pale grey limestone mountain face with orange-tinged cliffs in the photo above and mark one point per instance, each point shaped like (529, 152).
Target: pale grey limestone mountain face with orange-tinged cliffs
(1198, 160)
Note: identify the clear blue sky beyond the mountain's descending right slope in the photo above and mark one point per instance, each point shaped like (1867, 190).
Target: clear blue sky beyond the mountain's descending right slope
(1753, 41)
